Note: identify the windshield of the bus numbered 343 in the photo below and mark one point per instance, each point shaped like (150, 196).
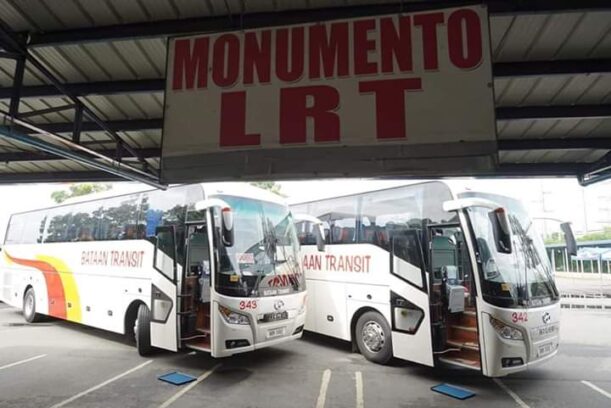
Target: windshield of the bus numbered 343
(263, 260)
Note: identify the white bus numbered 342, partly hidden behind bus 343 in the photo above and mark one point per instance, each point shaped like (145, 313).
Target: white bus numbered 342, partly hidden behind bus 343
(430, 275)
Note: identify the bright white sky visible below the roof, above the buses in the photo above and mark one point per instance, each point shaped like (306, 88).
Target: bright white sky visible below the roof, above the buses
(589, 209)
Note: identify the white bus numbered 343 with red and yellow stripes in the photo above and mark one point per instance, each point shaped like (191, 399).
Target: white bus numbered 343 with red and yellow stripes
(211, 267)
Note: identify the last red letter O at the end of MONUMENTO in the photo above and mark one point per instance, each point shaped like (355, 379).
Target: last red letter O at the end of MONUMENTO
(456, 41)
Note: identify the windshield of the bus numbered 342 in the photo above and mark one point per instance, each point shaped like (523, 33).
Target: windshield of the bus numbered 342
(522, 278)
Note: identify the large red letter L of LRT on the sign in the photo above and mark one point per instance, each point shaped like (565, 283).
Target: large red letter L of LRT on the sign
(233, 121)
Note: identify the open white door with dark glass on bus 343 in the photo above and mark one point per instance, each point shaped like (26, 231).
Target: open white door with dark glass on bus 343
(164, 333)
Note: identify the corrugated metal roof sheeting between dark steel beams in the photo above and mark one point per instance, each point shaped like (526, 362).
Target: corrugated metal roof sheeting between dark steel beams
(523, 37)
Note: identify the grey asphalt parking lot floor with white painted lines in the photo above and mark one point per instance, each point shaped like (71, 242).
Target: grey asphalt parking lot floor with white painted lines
(60, 364)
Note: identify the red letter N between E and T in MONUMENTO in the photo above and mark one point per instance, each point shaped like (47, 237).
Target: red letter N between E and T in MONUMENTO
(396, 46)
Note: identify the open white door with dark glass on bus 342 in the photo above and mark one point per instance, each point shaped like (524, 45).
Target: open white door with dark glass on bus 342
(411, 328)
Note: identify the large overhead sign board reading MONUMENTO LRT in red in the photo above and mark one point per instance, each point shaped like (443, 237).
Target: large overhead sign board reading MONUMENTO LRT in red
(377, 95)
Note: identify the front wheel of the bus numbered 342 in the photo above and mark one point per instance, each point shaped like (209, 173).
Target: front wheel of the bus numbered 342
(373, 337)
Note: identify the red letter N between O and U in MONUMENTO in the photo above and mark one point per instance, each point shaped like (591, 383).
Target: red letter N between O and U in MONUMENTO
(257, 56)
